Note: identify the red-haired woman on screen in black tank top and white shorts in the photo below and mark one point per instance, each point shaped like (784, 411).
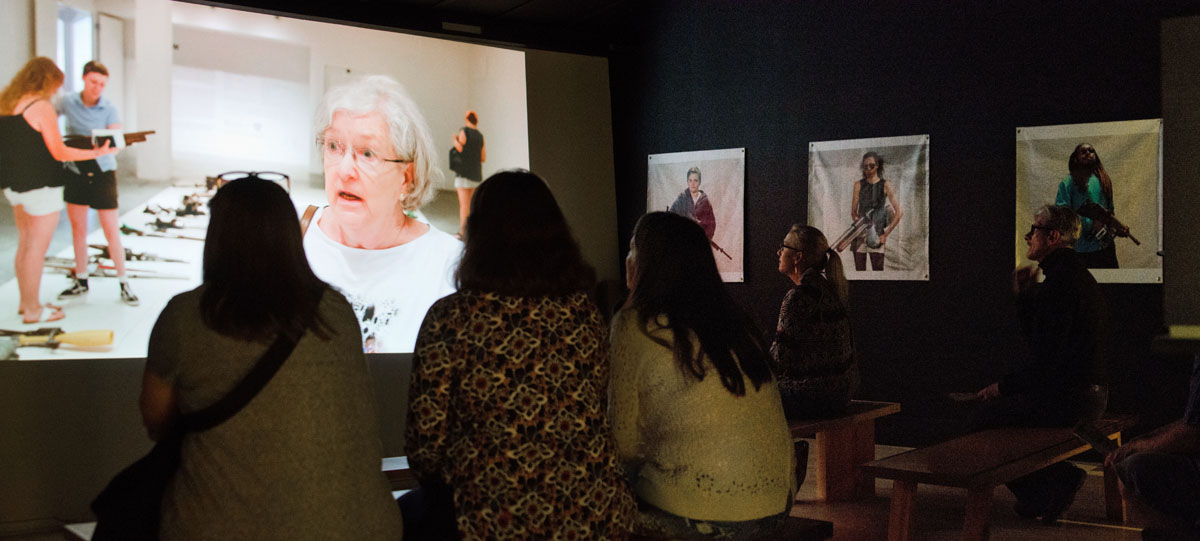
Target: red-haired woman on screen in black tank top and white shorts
(32, 177)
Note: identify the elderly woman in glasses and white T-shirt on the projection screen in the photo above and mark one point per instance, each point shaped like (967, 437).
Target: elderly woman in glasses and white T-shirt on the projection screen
(376, 149)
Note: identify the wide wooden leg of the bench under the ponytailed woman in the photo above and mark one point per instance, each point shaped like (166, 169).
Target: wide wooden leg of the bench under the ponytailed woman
(841, 453)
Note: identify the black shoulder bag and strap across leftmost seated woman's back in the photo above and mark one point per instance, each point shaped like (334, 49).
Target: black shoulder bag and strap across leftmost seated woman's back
(129, 509)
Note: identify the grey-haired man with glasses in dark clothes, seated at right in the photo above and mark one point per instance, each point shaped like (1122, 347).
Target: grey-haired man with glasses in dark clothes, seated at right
(1060, 383)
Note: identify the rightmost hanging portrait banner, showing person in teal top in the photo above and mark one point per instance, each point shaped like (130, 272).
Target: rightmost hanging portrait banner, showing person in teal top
(1127, 158)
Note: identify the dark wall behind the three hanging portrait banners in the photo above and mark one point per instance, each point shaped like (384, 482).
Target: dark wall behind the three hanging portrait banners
(775, 76)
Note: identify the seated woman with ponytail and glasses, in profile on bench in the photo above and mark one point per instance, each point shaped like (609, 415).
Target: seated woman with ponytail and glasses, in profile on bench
(814, 353)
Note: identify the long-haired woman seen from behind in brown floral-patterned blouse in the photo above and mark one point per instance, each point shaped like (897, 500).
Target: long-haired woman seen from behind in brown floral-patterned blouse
(507, 405)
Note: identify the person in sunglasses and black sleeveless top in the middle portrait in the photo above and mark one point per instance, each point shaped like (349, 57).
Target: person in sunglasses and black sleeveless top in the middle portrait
(873, 196)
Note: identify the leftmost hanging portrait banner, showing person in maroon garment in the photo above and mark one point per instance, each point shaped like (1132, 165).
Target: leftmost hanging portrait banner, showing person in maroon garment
(710, 188)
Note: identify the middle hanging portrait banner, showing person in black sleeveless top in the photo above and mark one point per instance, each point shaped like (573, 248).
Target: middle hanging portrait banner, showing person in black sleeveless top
(871, 197)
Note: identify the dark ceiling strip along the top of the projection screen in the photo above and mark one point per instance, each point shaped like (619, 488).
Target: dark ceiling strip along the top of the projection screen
(591, 27)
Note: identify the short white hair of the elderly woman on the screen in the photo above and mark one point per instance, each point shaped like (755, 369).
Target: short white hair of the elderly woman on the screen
(406, 127)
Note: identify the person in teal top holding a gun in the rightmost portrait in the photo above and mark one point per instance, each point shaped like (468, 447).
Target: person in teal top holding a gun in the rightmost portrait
(1089, 184)
